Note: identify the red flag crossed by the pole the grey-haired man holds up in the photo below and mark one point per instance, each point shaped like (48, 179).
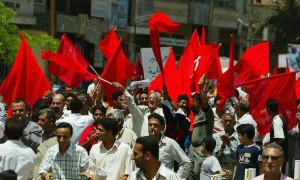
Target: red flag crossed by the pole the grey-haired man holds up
(118, 69)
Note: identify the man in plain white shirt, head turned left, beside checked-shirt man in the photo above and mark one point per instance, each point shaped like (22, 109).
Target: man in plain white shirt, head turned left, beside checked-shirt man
(110, 158)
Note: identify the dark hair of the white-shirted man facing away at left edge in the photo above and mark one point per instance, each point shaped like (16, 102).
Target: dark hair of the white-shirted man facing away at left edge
(14, 128)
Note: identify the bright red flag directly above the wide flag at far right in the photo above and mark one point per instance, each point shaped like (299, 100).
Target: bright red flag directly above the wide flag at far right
(253, 64)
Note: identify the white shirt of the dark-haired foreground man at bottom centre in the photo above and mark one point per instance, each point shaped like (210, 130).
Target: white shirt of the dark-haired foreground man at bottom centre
(163, 173)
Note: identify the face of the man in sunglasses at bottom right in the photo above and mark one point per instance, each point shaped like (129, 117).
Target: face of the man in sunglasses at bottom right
(272, 160)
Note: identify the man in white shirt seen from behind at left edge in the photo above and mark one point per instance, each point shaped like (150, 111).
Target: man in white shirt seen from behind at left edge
(14, 154)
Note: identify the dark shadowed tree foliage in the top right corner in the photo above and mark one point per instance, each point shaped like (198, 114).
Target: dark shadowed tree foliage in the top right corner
(284, 25)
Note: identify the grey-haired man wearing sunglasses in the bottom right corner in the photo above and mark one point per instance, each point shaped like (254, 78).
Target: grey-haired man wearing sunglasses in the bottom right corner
(273, 159)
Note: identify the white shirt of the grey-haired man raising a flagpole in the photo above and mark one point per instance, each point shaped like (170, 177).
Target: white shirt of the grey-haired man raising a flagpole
(140, 115)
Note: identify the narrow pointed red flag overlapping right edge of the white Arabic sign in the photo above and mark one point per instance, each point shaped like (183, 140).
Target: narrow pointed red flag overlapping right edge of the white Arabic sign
(170, 77)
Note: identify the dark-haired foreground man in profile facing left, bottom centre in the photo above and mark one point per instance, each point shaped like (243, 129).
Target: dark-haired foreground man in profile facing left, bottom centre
(146, 155)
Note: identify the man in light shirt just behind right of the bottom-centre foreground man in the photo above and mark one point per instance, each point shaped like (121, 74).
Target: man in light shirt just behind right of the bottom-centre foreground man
(169, 149)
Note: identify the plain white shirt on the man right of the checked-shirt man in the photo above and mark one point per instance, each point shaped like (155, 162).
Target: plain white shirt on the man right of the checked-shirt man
(113, 163)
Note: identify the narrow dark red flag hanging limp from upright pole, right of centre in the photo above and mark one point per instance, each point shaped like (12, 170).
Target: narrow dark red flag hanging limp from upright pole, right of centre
(225, 83)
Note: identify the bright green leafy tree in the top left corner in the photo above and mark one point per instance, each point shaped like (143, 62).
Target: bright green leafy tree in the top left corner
(10, 39)
